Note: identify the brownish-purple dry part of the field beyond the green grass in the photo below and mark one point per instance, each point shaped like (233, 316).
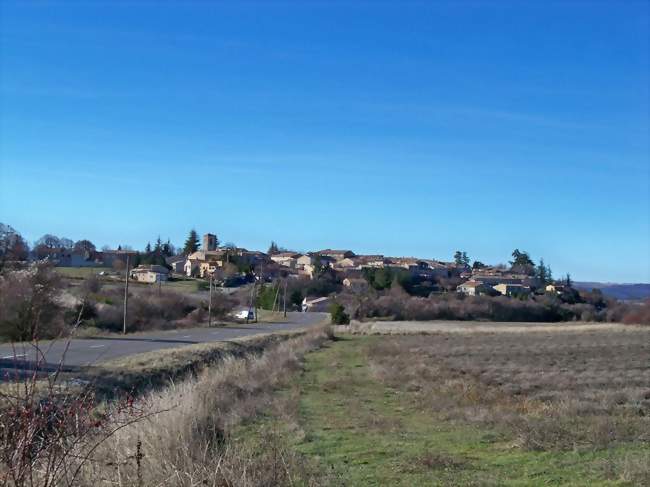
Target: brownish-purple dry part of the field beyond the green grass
(553, 391)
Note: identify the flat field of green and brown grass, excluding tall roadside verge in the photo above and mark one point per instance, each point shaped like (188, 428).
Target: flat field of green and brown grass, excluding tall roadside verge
(525, 409)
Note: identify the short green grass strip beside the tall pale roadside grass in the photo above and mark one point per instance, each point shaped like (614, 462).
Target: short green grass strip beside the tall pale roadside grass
(370, 434)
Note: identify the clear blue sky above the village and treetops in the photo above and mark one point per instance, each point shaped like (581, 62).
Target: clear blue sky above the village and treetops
(403, 128)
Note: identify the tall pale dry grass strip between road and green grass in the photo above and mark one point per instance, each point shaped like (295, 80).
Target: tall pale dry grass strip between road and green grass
(190, 443)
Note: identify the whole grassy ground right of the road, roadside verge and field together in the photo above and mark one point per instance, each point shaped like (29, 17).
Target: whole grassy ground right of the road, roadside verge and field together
(503, 408)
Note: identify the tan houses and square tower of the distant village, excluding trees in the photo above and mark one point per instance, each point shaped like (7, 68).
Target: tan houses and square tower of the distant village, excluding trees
(222, 263)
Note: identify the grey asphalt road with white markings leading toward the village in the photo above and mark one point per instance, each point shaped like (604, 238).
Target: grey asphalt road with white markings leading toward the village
(90, 351)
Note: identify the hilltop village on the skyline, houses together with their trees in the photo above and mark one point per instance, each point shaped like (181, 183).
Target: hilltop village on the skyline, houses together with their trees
(231, 266)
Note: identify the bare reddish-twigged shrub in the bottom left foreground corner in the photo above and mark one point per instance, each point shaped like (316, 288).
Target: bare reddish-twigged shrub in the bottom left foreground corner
(50, 430)
